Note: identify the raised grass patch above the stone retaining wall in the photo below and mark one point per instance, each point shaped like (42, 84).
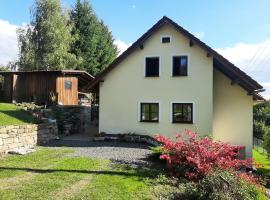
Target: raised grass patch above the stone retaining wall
(10, 114)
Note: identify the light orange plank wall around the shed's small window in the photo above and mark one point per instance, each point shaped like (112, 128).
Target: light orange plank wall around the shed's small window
(67, 96)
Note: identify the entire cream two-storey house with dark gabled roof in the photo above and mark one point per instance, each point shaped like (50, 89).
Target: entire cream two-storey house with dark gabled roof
(168, 81)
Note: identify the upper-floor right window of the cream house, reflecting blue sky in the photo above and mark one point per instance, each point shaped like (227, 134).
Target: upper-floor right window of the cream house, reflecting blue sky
(180, 65)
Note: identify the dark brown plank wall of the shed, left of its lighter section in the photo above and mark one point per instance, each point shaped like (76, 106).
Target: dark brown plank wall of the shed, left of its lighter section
(30, 86)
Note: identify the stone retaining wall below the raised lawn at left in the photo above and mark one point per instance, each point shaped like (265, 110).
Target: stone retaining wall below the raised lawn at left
(27, 136)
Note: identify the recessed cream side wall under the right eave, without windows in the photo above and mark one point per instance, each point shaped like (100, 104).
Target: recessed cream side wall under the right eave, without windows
(233, 115)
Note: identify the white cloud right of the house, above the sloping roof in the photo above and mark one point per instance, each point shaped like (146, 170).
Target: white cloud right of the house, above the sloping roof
(258, 66)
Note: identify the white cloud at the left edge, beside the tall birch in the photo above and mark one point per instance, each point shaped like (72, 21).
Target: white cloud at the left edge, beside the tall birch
(8, 42)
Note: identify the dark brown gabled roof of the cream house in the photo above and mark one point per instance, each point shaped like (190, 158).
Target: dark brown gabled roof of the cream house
(220, 63)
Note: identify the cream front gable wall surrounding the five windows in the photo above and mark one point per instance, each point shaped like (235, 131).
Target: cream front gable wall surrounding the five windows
(125, 86)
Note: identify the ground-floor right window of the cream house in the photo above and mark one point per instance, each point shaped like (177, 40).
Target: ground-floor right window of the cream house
(182, 112)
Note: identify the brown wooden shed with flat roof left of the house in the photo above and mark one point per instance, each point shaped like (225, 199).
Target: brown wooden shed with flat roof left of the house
(37, 86)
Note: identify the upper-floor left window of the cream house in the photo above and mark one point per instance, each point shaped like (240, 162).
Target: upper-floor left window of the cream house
(152, 67)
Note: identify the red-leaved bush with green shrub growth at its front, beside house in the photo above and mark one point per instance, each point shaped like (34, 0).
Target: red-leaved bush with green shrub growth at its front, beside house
(212, 168)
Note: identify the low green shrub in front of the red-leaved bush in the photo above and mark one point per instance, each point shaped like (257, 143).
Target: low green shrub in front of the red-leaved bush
(219, 184)
